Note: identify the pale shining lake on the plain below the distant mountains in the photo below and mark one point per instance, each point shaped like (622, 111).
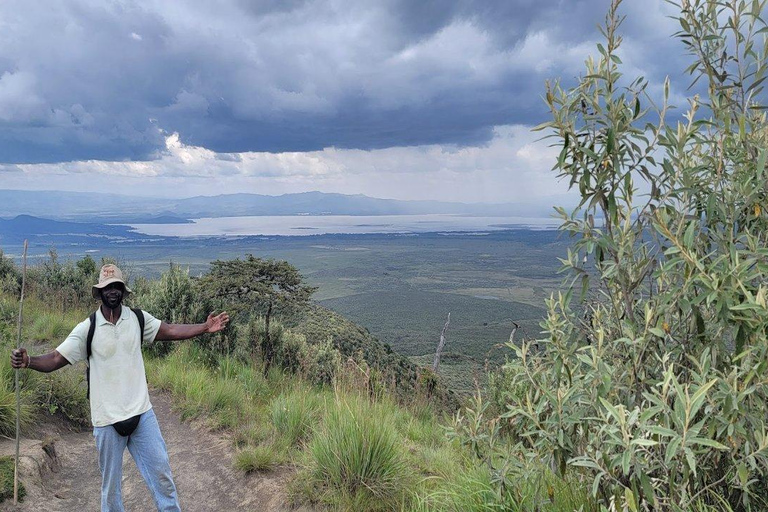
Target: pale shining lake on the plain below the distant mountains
(302, 225)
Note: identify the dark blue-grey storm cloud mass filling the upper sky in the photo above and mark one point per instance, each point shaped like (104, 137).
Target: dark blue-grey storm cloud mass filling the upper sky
(109, 80)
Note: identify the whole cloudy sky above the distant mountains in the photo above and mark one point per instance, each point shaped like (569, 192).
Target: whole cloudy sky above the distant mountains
(404, 99)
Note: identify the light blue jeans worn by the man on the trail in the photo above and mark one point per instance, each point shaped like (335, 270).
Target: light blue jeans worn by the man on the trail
(148, 450)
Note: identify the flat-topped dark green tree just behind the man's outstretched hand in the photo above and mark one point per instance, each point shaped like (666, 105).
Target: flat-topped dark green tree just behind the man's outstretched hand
(258, 285)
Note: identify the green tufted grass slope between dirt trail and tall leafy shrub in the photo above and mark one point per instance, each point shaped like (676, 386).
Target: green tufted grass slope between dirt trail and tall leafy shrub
(351, 452)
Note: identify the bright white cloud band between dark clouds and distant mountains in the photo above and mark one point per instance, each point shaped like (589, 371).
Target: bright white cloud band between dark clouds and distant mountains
(513, 166)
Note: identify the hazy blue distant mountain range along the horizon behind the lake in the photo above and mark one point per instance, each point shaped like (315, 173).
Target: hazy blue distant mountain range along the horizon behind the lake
(100, 208)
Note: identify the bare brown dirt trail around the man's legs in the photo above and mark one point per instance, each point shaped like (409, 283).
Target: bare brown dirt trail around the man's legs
(201, 462)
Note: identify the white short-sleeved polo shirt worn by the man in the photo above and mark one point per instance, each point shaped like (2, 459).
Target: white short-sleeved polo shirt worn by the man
(118, 380)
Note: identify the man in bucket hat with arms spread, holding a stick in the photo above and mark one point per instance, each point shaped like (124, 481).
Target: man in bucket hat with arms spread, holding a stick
(121, 413)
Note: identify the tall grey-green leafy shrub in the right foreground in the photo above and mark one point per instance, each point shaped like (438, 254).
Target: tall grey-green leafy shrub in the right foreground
(653, 391)
